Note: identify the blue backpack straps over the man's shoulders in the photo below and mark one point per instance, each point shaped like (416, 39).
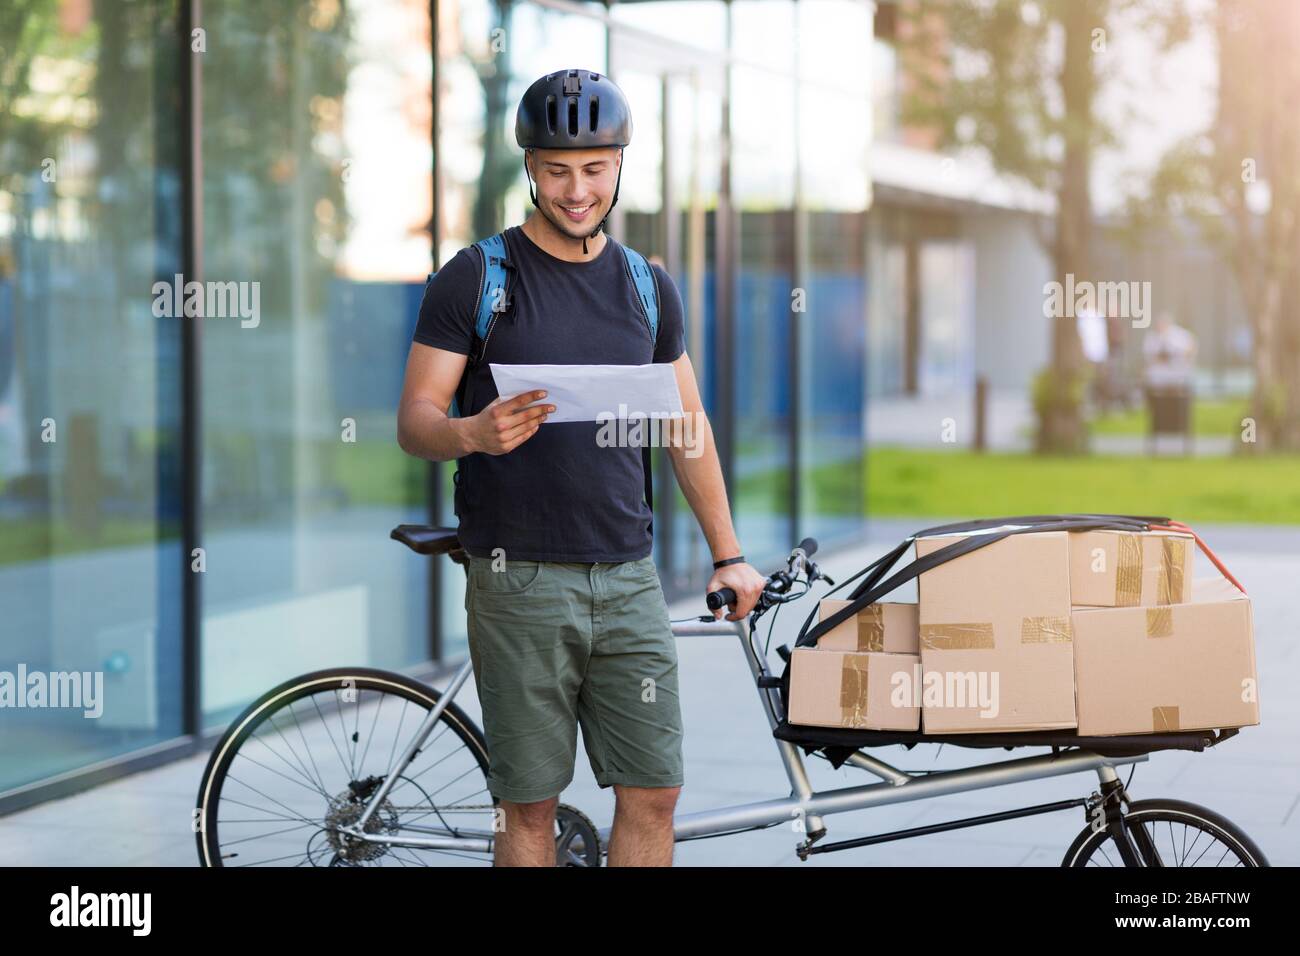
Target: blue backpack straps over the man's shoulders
(495, 301)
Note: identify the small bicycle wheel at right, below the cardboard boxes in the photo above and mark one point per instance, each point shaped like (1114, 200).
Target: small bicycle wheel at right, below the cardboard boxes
(1169, 833)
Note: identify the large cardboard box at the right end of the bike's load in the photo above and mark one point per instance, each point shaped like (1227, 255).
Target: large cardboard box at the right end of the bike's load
(1171, 668)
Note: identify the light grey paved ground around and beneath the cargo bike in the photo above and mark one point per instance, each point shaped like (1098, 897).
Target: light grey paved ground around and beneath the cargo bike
(731, 759)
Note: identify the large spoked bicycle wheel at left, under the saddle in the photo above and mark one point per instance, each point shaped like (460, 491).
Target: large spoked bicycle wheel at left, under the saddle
(304, 760)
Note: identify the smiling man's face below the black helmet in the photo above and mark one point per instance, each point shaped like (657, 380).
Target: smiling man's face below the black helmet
(575, 188)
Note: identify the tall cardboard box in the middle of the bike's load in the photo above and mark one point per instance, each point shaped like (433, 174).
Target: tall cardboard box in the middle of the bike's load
(995, 631)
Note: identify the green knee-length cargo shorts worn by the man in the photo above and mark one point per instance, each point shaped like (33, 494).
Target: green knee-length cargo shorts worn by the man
(560, 646)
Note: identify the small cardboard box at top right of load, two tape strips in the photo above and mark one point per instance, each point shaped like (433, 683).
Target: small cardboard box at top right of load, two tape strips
(1126, 569)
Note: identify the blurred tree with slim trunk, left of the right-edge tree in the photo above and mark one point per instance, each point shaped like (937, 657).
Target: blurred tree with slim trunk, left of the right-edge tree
(1020, 81)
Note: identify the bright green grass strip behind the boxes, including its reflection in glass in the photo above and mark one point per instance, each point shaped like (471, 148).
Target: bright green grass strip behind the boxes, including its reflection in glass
(937, 483)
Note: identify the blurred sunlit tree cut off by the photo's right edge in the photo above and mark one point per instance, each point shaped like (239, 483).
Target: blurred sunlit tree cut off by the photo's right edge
(1240, 181)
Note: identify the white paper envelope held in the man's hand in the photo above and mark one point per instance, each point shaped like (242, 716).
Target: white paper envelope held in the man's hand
(596, 393)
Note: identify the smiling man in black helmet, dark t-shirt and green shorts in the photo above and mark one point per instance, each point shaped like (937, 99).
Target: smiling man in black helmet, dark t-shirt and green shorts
(567, 620)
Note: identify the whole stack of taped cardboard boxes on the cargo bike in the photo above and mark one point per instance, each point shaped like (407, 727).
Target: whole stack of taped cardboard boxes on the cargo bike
(1102, 631)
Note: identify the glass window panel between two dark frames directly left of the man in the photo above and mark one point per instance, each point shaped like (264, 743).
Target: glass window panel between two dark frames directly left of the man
(318, 198)
